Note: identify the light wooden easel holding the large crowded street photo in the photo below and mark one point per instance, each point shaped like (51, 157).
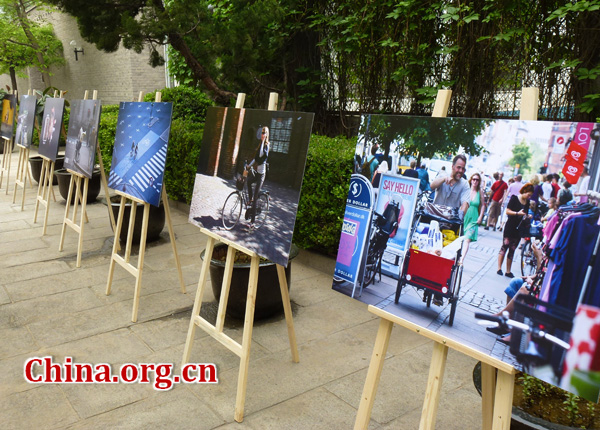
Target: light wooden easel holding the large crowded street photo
(497, 377)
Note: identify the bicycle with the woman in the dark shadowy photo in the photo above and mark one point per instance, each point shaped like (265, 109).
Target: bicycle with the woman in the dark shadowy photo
(240, 200)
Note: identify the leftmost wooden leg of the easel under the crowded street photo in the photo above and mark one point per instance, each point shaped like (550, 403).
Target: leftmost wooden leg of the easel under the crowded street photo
(367, 399)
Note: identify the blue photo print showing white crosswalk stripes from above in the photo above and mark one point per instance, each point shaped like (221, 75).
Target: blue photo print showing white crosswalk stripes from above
(140, 151)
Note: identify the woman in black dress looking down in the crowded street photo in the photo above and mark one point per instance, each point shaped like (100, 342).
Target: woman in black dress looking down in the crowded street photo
(516, 211)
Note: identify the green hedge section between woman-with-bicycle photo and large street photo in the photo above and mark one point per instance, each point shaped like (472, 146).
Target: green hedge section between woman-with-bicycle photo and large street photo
(324, 190)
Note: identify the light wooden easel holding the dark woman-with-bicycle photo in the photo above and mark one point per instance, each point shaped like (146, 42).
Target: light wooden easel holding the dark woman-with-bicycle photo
(216, 331)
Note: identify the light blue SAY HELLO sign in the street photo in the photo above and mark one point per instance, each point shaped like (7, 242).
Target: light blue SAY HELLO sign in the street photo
(401, 191)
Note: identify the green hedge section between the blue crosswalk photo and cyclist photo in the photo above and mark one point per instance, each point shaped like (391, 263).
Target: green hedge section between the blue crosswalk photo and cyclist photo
(182, 158)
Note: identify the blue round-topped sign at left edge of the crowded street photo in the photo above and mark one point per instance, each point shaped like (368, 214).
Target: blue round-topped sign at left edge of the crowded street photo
(355, 228)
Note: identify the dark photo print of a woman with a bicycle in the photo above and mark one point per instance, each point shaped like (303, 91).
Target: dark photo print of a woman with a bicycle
(249, 177)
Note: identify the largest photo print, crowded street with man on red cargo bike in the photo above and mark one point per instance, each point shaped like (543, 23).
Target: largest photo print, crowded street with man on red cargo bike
(508, 269)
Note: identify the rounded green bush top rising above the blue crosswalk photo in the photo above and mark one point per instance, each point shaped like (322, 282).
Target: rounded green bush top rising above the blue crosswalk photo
(188, 103)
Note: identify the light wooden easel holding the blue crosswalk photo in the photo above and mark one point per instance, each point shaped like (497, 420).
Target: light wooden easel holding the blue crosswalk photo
(124, 261)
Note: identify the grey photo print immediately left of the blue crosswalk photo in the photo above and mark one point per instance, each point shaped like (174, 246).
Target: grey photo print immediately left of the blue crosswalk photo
(82, 136)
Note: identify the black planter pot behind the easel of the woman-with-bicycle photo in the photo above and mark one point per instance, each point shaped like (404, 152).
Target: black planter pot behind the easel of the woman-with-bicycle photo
(268, 295)
